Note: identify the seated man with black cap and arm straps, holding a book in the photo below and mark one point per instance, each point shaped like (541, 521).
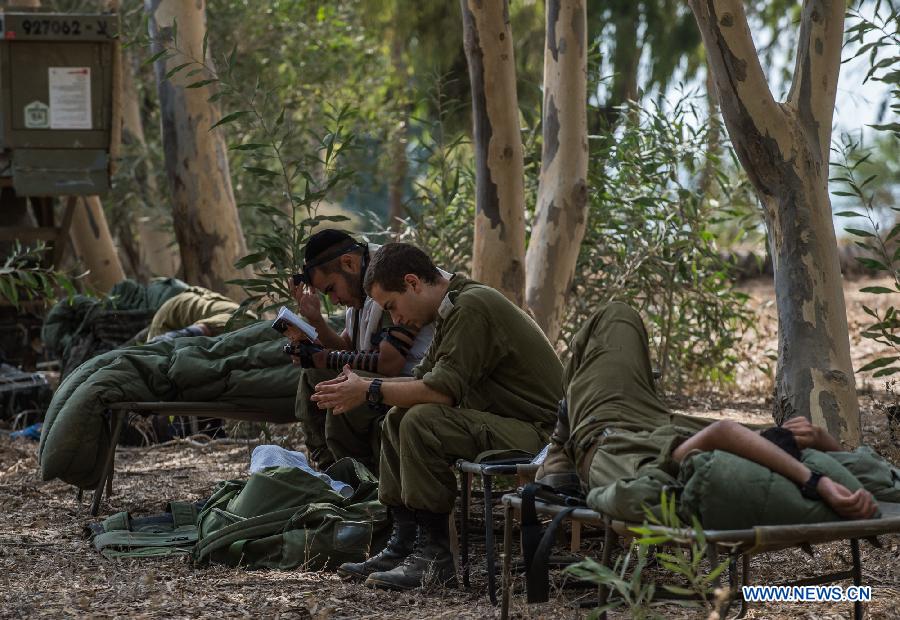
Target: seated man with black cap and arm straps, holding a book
(370, 344)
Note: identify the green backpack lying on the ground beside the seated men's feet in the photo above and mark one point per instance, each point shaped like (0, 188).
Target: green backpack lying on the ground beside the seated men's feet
(284, 518)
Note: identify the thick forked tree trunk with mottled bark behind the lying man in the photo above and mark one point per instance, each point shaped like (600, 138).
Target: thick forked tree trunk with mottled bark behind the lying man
(784, 148)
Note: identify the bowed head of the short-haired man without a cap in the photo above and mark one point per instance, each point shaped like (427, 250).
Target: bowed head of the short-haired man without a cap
(402, 279)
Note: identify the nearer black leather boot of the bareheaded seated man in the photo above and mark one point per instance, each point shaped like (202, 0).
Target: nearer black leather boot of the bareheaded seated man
(431, 562)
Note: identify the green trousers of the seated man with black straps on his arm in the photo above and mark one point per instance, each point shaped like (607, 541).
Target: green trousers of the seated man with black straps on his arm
(330, 437)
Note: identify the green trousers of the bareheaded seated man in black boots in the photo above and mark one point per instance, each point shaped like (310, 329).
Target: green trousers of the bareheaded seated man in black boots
(420, 444)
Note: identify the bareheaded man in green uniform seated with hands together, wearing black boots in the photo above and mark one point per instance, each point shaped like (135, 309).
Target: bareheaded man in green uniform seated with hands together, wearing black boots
(489, 381)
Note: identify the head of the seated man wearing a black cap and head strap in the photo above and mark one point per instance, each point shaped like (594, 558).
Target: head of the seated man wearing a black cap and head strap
(334, 263)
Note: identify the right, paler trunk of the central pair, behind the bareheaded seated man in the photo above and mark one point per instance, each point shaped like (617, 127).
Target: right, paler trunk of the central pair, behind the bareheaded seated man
(561, 214)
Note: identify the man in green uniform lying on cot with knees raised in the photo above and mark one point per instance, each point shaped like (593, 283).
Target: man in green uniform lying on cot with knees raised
(624, 445)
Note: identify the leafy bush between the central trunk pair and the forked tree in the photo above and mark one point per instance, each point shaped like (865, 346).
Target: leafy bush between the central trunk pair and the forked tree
(649, 243)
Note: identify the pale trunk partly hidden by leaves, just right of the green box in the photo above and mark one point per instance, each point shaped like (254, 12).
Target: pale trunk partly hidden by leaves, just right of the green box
(154, 250)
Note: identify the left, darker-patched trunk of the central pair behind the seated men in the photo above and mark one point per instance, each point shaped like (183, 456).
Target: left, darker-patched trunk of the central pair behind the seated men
(499, 253)
